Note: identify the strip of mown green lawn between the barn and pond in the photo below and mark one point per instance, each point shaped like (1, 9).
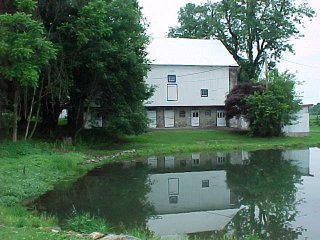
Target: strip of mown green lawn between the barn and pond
(188, 140)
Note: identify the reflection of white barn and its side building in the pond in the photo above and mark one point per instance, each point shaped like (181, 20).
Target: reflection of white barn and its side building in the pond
(190, 194)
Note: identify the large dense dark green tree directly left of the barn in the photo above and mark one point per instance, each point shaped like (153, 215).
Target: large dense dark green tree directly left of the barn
(109, 64)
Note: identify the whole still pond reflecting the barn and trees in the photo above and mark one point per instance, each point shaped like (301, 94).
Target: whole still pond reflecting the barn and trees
(271, 193)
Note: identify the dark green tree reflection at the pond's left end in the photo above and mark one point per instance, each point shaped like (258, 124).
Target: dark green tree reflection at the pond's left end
(114, 193)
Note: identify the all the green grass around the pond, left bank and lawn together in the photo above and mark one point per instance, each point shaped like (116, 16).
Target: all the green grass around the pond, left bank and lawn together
(28, 169)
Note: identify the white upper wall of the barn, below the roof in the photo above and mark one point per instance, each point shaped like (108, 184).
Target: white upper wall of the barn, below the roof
(189, 85)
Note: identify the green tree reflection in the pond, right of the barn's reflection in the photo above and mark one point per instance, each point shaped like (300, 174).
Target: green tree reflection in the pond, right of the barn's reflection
(266, 187)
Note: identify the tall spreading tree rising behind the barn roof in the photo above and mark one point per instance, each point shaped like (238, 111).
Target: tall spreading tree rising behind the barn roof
(248, 29)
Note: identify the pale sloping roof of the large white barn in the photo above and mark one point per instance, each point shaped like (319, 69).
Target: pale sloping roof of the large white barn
(182, 51)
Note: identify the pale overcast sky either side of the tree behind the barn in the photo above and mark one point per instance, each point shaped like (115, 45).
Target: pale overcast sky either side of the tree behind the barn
(162, 14)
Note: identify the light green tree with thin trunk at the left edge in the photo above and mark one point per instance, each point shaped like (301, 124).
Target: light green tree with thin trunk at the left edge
(23, 51)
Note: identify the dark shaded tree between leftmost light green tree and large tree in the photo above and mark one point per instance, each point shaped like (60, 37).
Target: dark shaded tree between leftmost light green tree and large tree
(57, 76)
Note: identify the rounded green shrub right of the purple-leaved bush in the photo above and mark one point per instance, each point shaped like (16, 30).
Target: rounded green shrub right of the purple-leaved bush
(269, 111)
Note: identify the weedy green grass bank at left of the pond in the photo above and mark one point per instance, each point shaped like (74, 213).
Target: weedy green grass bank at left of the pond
(26, 171)
